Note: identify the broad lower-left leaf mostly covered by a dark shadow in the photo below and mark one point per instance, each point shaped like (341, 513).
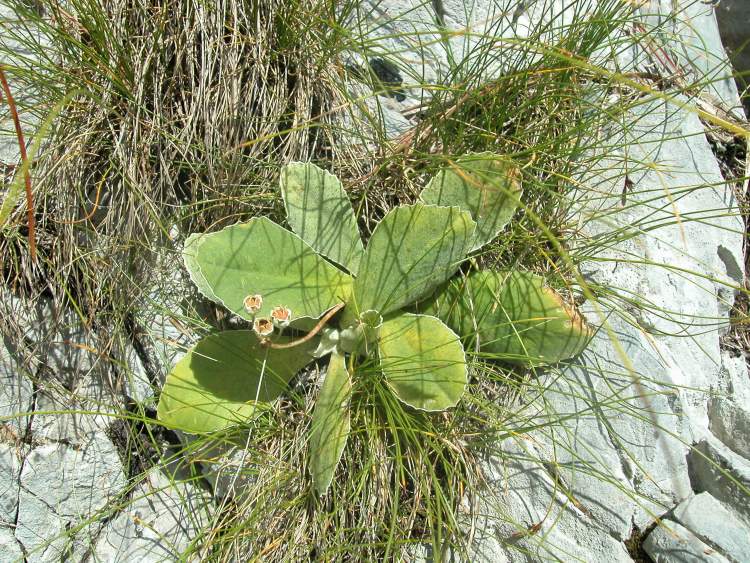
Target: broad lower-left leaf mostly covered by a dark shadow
(215, 384)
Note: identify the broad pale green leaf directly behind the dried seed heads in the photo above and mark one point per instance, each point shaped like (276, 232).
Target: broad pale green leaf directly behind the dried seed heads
(260, 257)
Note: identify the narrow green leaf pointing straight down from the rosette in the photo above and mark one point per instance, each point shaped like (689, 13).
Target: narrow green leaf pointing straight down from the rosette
(330, 424)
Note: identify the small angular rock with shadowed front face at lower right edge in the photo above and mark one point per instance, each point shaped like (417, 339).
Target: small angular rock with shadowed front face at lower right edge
(716, 469)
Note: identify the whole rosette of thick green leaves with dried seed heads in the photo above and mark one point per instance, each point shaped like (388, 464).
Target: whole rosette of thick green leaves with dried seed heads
(352, 301)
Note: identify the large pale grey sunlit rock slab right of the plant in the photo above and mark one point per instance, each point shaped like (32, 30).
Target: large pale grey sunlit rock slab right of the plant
(616, 422)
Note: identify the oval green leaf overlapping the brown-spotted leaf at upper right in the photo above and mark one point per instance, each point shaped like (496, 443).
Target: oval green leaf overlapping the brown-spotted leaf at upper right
(413, 249)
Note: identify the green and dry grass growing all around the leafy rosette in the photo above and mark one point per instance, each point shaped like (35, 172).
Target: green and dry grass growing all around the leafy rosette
(183, 117)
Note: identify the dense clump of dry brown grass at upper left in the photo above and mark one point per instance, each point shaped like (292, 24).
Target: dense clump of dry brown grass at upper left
(185, 113)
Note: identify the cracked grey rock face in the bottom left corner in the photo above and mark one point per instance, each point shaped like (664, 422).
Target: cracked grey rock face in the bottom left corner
(66, 491)
